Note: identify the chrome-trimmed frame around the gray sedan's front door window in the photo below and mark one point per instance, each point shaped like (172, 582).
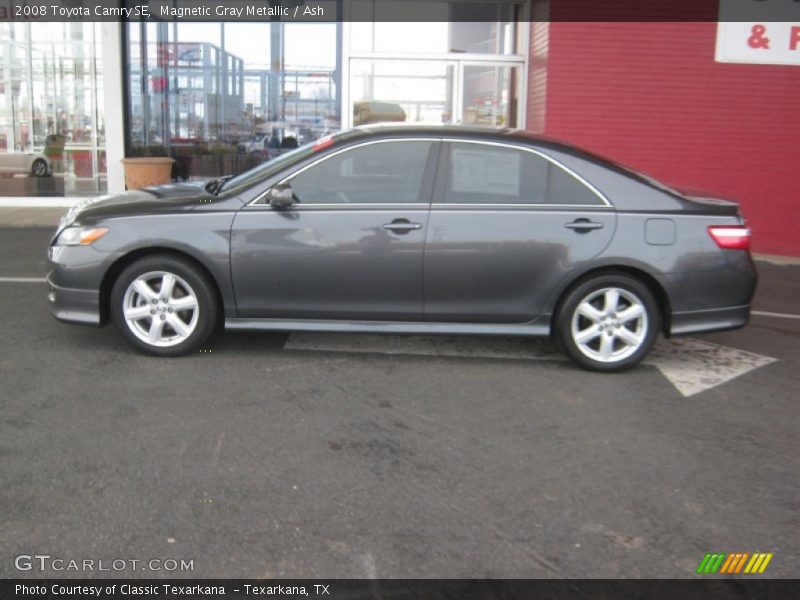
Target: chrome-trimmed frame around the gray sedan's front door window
(426, 187)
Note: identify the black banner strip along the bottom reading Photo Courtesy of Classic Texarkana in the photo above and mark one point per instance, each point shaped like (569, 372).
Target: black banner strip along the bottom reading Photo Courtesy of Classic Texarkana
(712, 588)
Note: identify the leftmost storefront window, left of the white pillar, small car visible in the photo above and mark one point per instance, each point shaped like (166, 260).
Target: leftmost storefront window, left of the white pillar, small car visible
(52, 130)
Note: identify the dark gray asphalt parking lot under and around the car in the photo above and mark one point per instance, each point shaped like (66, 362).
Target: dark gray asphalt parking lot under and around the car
(336, 456)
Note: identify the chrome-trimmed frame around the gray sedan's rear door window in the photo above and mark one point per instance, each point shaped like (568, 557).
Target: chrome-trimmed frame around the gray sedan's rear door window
(443, 172)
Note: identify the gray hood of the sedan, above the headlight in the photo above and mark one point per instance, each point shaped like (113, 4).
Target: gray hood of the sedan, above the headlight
(153, 200)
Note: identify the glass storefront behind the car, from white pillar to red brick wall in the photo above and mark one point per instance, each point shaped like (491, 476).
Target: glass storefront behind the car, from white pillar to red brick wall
(222, 98)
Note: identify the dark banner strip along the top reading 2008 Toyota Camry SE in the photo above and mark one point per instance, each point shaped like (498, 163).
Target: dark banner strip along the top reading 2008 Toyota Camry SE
(399, 10)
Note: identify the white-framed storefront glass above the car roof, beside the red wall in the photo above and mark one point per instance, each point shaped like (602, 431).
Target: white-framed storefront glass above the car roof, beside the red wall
(450, 71)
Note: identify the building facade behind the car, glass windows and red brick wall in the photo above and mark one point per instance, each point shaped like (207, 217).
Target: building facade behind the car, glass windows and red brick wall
(673, 99)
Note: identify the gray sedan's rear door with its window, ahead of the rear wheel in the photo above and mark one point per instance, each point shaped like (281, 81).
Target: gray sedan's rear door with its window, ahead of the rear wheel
(506, 226)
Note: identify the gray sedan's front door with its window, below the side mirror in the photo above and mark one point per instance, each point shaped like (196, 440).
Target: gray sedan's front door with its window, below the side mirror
(351, 248)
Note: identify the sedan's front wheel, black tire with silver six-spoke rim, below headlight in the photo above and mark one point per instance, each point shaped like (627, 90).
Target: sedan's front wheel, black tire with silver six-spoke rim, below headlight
(164, 305)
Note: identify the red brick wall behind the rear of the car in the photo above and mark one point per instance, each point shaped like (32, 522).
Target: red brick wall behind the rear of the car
(650, 95)
